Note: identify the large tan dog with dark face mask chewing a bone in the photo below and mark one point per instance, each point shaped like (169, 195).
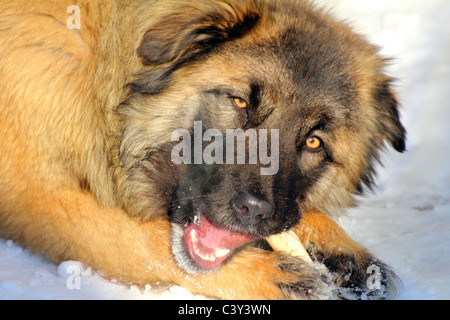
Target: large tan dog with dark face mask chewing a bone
(90, 99)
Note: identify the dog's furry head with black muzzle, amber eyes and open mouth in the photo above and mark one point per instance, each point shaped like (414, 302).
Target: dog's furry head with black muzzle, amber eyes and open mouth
(308, 94)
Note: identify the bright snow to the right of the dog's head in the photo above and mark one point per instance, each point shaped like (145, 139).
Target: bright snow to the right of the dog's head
(407, 221)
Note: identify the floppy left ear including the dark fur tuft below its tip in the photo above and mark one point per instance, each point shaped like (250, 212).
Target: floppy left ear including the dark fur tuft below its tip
(187, 35)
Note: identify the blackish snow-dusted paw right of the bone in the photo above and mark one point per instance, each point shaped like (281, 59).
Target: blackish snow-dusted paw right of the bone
(359, 277)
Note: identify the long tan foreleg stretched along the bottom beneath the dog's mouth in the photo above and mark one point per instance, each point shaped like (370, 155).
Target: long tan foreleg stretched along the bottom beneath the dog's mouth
(72, 225)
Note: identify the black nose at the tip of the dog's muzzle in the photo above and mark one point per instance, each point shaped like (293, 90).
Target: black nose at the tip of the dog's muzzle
(250, 209)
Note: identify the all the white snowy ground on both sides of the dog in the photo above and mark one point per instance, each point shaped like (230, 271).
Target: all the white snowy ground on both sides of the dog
(406, 222)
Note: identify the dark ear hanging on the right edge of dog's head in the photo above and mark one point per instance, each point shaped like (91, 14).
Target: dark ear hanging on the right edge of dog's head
(387, 106)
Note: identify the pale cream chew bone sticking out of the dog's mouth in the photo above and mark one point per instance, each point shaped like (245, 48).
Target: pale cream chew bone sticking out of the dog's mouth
(289, 243)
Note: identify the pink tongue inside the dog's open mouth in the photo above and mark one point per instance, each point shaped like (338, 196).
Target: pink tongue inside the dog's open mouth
(213, 236)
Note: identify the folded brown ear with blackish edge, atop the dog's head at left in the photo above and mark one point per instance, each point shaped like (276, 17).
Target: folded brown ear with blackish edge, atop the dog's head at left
(194, 31)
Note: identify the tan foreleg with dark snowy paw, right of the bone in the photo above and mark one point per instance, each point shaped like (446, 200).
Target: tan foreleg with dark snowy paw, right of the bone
(356, 271)
